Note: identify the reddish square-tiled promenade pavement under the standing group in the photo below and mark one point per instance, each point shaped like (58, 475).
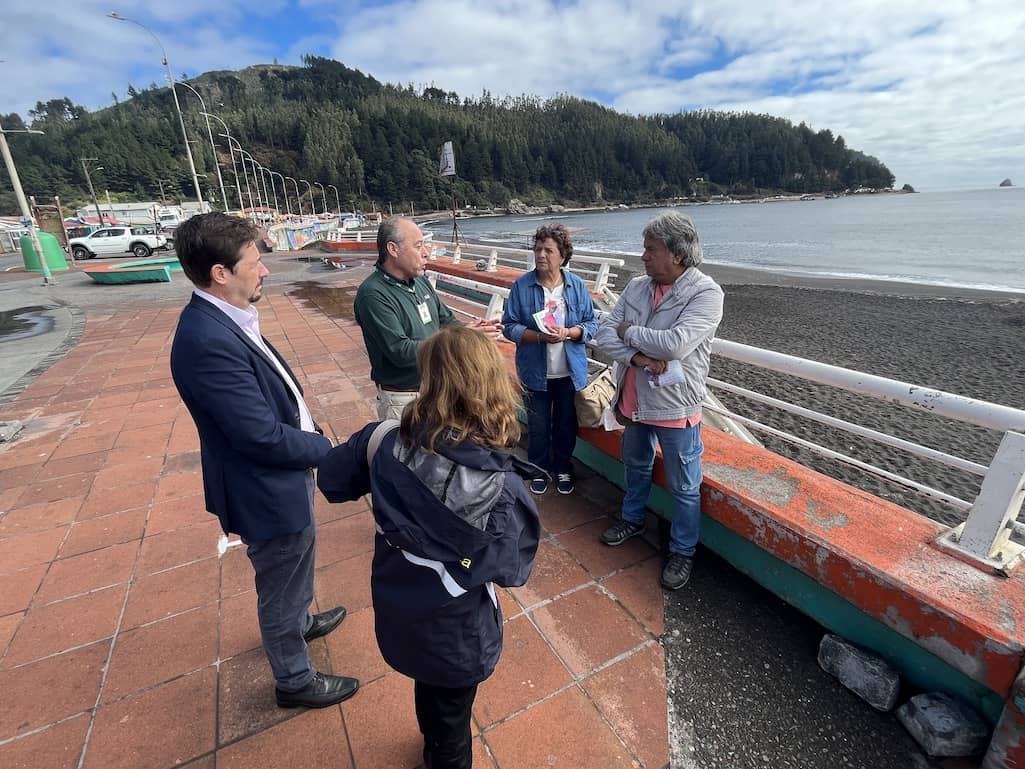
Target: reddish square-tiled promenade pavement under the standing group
(126, 641)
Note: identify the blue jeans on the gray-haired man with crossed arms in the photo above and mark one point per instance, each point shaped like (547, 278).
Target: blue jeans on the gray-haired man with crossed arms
(682, 459)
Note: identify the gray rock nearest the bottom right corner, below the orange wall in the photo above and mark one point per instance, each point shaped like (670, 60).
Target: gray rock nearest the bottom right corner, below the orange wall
(944, 726)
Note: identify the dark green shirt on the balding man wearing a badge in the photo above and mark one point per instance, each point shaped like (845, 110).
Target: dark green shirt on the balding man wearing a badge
(389, 313)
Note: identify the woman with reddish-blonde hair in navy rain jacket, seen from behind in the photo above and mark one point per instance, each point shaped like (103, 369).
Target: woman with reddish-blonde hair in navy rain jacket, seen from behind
(454, 520)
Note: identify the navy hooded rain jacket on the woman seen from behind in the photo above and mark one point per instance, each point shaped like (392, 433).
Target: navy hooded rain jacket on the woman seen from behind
(450, 528)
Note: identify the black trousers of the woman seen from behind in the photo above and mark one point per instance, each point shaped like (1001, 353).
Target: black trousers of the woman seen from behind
(444, 718)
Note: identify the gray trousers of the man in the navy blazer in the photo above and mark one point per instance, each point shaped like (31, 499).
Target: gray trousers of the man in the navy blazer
(284, 570)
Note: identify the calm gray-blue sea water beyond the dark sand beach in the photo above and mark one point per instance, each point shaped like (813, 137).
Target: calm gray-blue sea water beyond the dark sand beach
(971, 239)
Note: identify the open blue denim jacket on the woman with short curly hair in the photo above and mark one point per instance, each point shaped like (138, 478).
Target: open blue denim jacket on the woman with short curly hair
(527, 298)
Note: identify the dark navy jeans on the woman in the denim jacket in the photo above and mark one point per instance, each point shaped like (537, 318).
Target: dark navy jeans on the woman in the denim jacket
(552, 426)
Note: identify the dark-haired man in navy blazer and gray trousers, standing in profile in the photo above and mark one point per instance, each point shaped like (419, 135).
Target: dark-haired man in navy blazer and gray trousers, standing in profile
(259, 446)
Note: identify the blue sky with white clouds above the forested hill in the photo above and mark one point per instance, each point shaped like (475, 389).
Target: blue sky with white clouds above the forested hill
(936, 91)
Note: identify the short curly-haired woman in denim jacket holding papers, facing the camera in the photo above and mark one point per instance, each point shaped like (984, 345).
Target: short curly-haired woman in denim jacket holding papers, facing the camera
(550, 316)
